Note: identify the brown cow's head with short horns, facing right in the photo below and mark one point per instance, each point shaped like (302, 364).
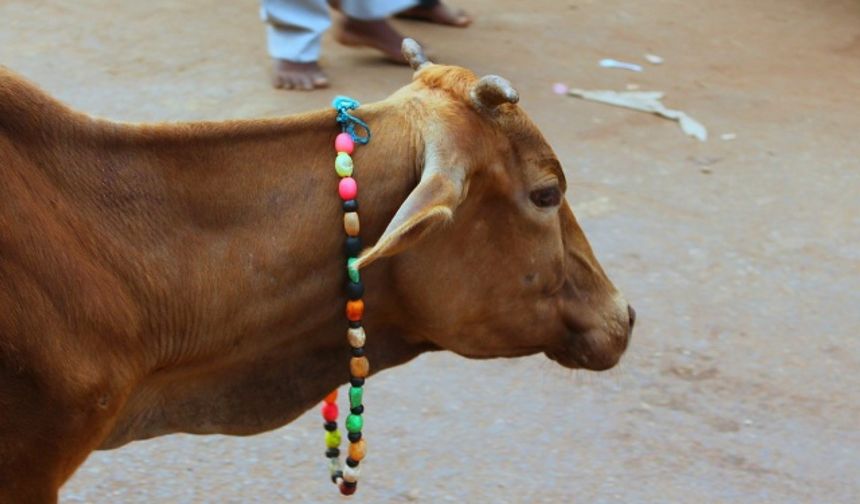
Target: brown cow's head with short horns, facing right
(486, 254)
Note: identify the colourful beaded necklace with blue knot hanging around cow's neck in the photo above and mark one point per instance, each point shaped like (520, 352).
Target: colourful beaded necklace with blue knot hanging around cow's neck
(346, 476)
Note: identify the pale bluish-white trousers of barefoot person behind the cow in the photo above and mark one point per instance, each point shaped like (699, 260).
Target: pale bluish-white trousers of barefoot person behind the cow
(295, 27)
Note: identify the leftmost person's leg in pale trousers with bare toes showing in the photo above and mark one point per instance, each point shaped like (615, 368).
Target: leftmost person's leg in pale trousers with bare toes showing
(294, 34)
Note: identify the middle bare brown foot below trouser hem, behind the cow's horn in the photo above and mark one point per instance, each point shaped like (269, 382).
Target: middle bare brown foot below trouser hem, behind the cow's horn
(365, 25)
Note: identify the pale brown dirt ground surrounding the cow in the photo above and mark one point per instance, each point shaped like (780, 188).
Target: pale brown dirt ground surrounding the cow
(741, 256)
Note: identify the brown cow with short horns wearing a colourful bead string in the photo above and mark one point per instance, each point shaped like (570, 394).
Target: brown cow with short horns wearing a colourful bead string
(188, 277)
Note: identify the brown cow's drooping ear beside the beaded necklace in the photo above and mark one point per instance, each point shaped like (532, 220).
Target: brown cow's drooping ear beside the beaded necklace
(430, 205)
